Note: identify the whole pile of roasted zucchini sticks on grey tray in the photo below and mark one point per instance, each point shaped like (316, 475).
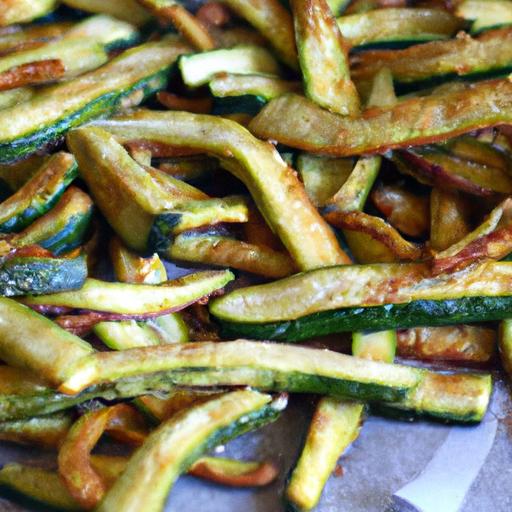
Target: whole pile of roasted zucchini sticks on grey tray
(329, 171)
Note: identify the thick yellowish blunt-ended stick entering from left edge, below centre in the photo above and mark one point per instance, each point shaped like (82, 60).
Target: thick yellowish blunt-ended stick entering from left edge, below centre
(29, 340)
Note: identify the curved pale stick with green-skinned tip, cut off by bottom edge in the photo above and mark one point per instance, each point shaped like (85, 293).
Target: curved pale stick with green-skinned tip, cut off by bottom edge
(176, 444)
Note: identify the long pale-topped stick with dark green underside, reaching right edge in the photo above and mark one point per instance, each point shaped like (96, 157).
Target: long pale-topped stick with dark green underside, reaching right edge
(358, 298)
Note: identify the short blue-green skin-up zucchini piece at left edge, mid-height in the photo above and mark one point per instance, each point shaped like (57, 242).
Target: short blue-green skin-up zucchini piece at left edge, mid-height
(36, 276)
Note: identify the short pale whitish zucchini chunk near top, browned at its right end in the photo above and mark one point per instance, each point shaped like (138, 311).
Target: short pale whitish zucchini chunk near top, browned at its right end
(199, 68)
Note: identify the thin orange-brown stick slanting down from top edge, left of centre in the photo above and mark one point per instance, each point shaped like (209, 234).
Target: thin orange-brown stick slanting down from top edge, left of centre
(185, 22)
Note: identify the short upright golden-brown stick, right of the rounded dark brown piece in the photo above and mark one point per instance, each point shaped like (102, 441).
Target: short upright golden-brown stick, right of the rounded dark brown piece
(449, 219)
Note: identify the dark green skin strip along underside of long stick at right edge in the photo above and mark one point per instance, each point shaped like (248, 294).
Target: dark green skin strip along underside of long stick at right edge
(389, 316)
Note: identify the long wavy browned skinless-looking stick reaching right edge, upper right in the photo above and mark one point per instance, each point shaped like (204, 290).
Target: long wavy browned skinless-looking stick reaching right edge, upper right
(413, 121)
